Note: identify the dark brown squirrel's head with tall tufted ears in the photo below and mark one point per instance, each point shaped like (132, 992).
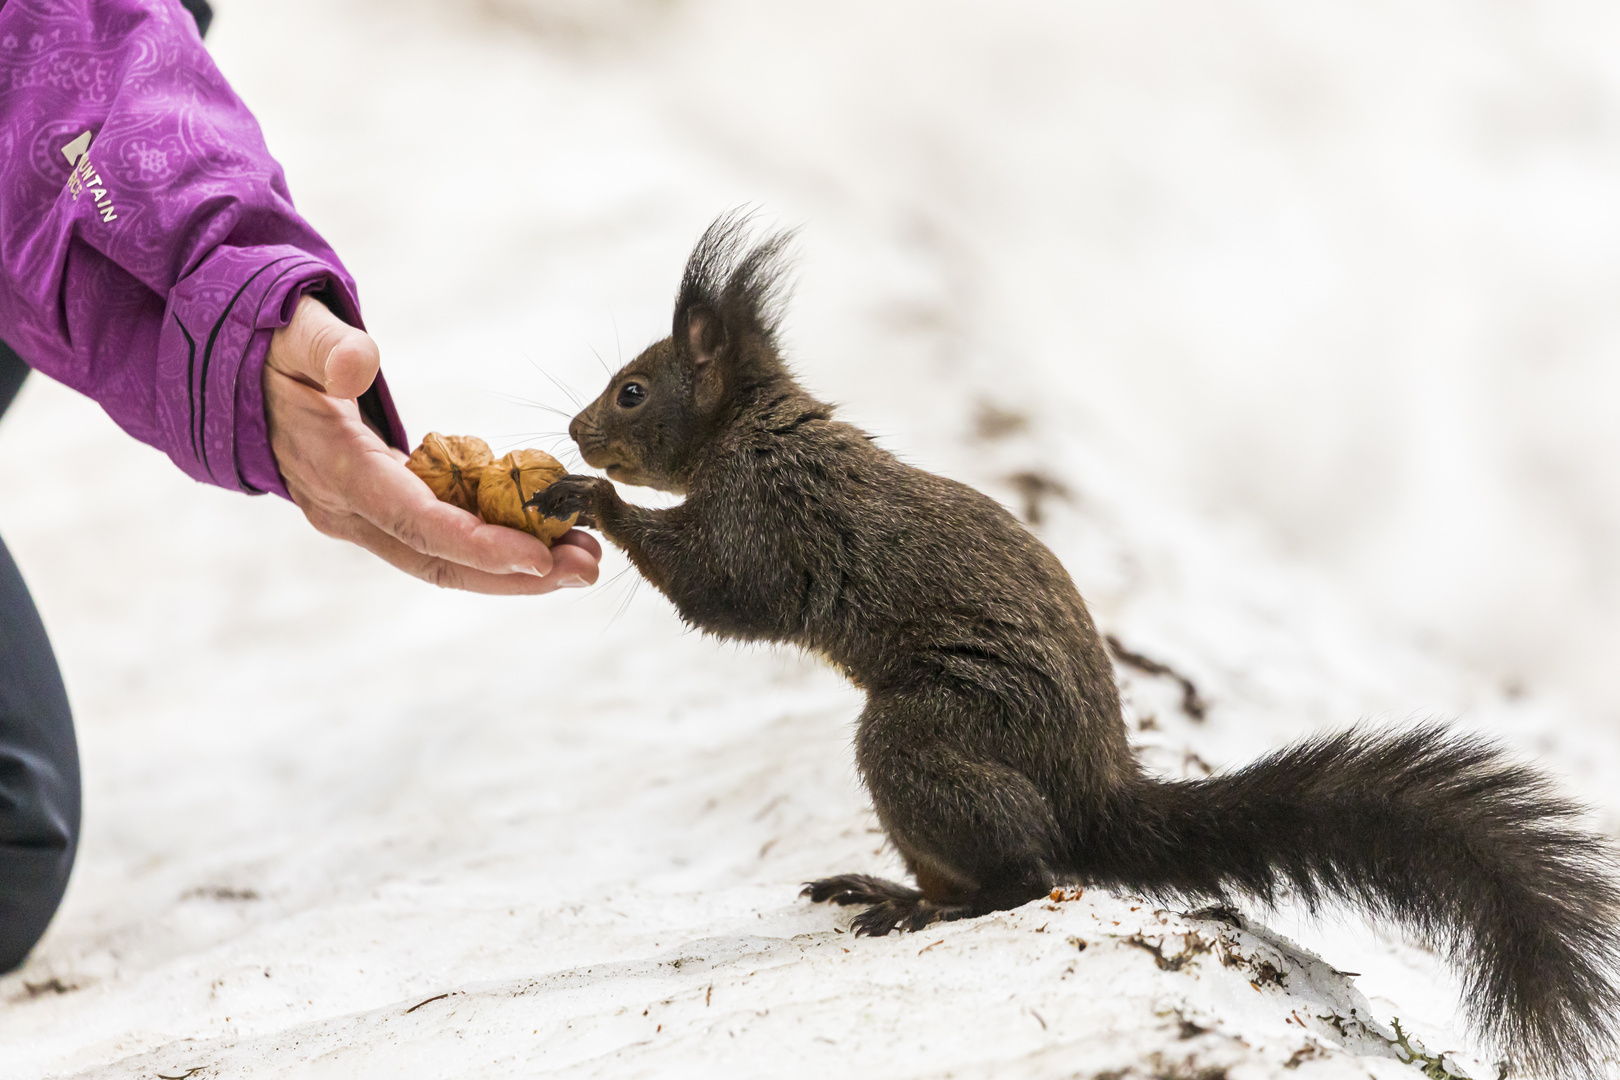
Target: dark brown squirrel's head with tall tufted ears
(665, 409)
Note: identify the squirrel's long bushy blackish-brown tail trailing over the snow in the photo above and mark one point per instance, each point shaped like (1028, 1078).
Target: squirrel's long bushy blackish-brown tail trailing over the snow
(1475, 854)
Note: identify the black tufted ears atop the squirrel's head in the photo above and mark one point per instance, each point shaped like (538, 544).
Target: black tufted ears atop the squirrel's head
(733, 289)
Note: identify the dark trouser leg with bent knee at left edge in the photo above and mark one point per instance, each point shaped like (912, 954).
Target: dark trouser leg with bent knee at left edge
(40, 775)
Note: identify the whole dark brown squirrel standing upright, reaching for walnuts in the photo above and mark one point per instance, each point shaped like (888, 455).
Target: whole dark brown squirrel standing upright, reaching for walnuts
(992, 741)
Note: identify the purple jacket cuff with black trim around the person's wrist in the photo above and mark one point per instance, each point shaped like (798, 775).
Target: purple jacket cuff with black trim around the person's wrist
(213, 349)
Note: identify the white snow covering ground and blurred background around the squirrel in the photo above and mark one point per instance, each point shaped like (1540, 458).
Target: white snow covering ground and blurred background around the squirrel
(1308, 308)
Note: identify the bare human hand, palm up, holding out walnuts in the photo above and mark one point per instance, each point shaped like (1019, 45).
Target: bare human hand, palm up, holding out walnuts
(354, 487)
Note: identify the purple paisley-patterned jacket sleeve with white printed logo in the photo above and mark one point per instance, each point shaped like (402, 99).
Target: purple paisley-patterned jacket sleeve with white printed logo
(148, 242)
